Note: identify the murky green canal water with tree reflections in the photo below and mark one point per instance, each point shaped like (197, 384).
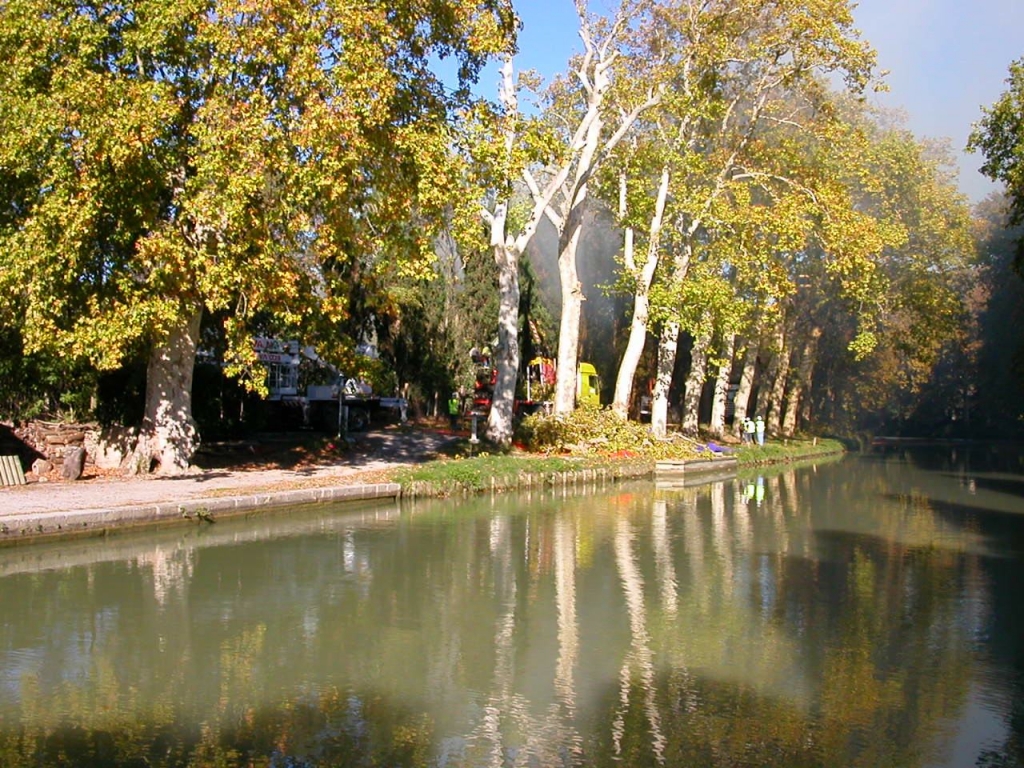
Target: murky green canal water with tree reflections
(867, 612)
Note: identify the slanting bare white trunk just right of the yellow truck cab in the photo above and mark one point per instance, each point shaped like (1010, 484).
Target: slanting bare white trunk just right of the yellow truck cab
(642, 305)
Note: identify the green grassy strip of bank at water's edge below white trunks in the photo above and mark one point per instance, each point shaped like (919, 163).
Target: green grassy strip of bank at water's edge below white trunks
(497, 473)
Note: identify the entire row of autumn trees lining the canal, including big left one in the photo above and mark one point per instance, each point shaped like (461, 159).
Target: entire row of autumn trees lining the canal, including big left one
(178, 176)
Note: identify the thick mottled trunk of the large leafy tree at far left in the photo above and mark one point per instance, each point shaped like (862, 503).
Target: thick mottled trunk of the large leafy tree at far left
(168, 440)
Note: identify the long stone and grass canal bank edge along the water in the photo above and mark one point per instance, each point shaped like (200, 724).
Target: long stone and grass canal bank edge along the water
(98, 522)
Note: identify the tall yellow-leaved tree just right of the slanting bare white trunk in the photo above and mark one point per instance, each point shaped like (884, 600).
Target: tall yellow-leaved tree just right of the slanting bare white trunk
(737, 66)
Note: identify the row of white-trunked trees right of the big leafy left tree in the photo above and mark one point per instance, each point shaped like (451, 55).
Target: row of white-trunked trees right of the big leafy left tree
(813, 254)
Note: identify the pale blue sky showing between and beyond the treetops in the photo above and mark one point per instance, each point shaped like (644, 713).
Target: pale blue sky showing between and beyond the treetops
(947, 60)
